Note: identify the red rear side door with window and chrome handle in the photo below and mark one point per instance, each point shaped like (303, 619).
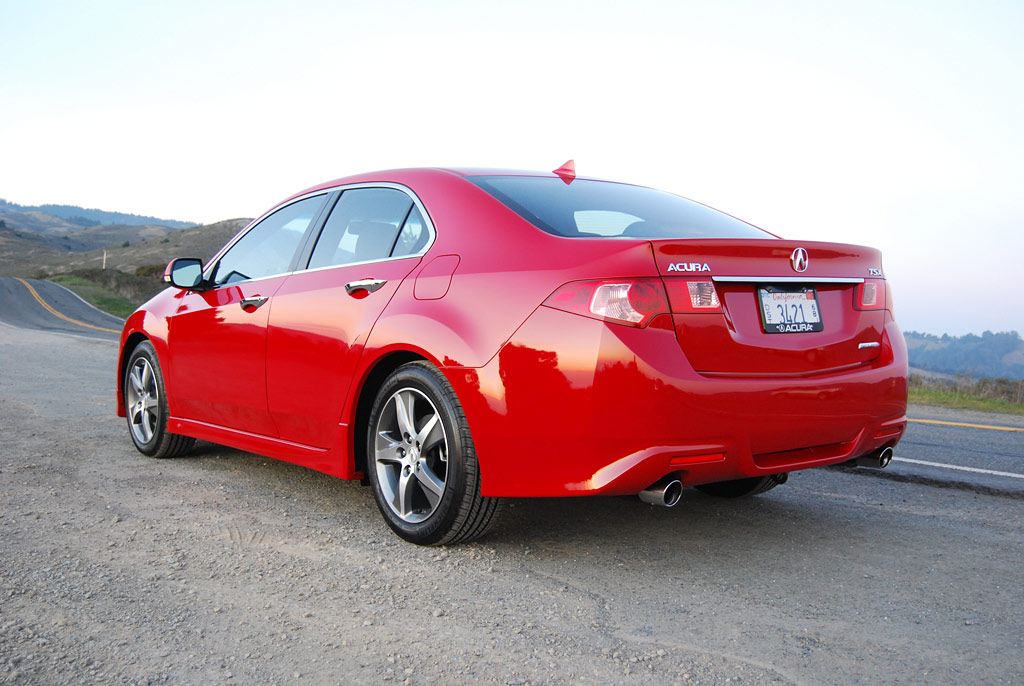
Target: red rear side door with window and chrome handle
(322, 317)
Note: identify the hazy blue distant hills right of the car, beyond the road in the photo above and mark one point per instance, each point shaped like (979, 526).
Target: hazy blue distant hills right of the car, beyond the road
(992, 356)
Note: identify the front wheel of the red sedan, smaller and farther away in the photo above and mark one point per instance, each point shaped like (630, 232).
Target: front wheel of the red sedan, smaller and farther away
(146, 407)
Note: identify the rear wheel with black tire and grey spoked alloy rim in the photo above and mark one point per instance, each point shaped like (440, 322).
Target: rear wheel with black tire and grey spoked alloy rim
(421, 462)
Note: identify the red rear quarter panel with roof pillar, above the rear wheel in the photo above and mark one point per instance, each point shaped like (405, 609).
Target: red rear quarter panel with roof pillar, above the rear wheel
(506, 270)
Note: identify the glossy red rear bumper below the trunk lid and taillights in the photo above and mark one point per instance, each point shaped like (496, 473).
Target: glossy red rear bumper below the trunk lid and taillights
(612, 409)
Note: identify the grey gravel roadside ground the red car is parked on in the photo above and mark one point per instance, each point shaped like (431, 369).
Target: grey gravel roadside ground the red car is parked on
(228, 568)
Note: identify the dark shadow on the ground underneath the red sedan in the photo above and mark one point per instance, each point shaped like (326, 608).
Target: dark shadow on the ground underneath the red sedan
(783, 519)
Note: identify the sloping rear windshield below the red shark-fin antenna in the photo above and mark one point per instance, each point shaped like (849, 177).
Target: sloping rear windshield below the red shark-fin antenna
(595, 209)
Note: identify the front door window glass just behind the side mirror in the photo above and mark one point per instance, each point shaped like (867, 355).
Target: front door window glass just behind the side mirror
(270, 247)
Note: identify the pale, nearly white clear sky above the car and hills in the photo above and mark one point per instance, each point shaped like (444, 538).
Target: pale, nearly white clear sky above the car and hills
(892, 124)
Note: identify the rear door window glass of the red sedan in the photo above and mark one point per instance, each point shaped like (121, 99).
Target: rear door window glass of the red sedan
(364, 227)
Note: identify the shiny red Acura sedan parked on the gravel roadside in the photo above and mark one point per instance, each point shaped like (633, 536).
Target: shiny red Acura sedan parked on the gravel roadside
(458, 336)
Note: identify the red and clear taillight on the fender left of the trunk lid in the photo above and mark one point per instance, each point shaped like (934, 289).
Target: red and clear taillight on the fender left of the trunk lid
(630, 302)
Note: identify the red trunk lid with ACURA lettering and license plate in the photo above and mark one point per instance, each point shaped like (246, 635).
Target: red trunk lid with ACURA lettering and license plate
(773, 308)
